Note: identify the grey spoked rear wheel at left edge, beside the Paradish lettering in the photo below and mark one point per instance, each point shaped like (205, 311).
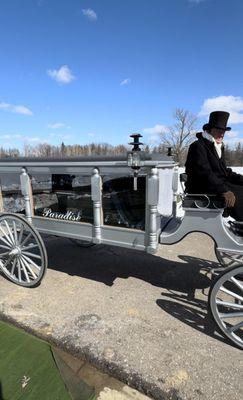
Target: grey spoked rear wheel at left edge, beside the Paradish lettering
(23, 257)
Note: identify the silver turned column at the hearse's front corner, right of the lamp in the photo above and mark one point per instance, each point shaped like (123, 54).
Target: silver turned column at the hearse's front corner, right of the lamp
(153, 198)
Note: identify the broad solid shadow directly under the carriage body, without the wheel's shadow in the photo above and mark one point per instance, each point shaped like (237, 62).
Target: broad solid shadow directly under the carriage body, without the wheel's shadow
(105, 263)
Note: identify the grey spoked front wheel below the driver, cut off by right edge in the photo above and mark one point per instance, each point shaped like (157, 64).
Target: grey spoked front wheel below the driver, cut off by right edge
(226, 303)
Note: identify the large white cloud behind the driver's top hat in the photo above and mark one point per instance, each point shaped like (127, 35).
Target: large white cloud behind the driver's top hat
(232, 104)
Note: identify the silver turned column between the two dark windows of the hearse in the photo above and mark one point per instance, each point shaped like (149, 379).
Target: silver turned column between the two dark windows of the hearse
(96, 195)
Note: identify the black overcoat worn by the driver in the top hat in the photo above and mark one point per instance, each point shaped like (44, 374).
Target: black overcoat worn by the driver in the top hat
(206, 172)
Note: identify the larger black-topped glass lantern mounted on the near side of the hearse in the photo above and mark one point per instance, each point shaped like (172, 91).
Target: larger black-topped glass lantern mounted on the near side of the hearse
(135, 158)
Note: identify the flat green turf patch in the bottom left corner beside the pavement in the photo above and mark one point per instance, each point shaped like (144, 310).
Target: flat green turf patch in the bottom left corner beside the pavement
(27, 368)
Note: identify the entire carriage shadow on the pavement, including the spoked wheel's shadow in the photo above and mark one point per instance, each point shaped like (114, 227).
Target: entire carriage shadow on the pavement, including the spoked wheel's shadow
(179, 279)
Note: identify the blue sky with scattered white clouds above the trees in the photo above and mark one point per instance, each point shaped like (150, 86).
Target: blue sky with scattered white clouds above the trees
(80, 71)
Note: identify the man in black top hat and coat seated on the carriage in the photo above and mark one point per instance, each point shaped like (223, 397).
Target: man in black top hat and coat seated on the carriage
(206, 169)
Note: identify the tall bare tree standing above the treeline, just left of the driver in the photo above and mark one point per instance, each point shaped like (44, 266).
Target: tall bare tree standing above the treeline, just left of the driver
(181, 134)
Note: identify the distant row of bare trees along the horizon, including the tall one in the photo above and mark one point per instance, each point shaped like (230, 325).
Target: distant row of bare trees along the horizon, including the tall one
(177, 137)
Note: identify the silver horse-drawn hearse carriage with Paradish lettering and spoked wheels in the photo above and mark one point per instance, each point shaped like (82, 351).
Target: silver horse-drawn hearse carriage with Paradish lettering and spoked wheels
(128, 201)
